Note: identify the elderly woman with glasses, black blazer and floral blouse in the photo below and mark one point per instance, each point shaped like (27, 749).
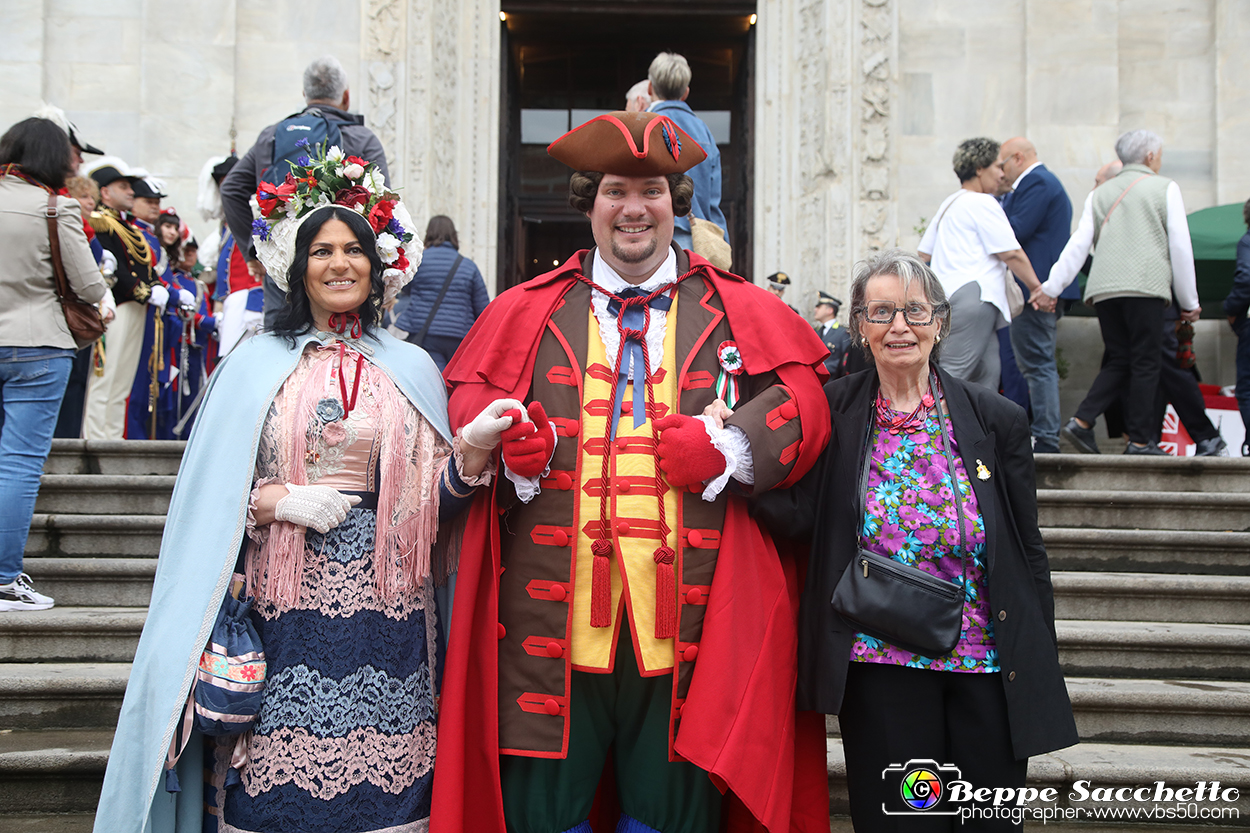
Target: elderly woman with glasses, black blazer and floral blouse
(914, 452)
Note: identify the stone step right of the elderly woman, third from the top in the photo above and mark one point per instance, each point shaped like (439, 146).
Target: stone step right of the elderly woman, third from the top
(1148, 551)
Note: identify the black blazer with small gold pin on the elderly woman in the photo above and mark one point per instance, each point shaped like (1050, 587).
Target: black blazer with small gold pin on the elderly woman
(824, 507)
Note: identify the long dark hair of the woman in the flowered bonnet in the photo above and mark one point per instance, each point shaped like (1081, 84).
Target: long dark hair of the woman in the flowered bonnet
(297, 317)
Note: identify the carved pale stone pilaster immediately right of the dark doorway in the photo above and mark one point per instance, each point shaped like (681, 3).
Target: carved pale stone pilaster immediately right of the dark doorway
(804, 177)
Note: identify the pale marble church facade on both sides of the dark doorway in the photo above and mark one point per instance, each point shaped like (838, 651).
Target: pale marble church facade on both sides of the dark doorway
(859, 104)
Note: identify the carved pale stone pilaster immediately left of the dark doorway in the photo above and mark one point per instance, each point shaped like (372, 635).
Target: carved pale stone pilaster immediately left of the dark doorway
(441, 99)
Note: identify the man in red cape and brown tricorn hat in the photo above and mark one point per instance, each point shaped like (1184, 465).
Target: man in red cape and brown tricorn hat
(621, 622)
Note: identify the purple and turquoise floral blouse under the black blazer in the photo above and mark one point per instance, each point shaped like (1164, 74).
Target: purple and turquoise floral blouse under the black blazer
(909, 516)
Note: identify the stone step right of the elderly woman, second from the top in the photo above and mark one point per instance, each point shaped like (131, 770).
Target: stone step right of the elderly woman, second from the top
(1172, 511)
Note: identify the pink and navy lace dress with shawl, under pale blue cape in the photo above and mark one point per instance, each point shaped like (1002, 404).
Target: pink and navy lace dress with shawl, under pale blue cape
(346, 739)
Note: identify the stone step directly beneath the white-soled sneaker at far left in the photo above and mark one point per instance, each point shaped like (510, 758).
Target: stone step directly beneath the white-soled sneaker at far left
(72, 636)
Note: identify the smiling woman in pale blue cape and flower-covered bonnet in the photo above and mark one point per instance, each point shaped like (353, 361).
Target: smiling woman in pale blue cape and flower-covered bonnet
(319, 468)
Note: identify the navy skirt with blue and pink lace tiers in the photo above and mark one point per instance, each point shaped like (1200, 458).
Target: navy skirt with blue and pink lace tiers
(347, 734)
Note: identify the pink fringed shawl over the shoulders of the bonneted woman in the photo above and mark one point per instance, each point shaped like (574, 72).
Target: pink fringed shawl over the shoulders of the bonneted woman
(413, 457)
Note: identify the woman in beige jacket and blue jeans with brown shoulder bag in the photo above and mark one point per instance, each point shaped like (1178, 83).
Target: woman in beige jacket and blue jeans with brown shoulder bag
(37, 346)
